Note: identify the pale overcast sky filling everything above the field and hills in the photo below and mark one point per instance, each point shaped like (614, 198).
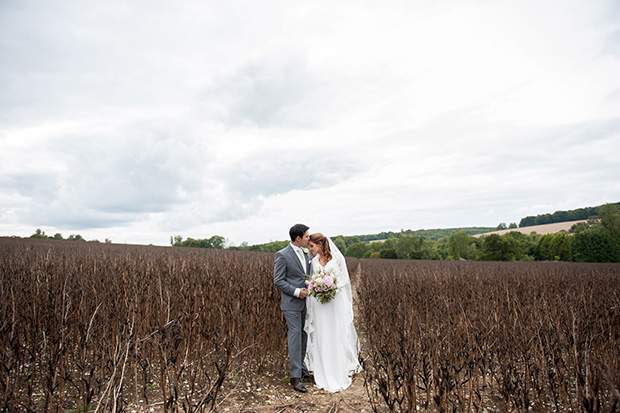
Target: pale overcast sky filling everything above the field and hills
(138, 120)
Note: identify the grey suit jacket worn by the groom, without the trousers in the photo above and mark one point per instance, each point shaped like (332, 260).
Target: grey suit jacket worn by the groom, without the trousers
(288, 275)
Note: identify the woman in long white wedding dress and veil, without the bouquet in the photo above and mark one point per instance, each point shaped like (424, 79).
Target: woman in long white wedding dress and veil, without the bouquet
(333, 346)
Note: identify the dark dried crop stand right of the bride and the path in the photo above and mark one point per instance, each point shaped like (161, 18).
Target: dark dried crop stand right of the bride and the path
(460, 336)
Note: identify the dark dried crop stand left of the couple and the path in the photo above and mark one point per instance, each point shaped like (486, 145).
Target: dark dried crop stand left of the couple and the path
(111, 328)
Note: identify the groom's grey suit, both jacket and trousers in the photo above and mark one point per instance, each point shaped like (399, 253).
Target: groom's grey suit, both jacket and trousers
(288, 275)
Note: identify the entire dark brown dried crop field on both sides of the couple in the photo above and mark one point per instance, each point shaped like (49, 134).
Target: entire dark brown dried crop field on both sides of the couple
(86, 326)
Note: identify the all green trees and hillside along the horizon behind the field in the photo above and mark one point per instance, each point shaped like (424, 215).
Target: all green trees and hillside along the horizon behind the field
(596, 240)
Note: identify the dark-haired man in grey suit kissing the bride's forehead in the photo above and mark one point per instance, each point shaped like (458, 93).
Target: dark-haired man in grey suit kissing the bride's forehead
(290, 266)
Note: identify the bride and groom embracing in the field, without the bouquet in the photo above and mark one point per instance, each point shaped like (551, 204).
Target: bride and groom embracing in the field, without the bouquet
(322, 341)
